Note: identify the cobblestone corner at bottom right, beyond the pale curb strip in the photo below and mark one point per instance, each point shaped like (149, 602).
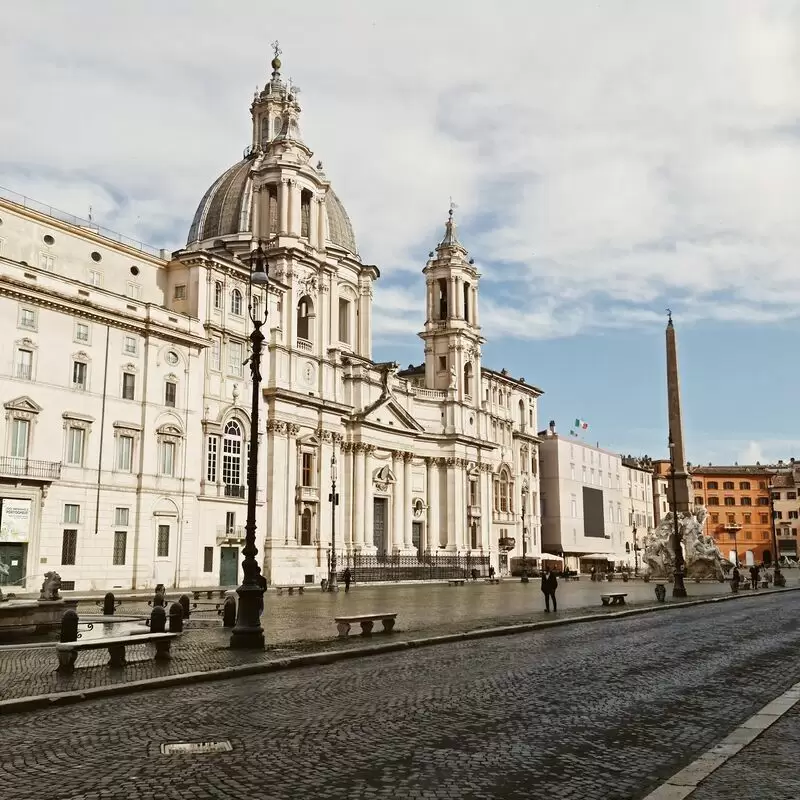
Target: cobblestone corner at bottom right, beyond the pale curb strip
(766, 769)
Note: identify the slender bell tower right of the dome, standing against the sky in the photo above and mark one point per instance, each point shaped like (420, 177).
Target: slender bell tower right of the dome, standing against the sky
(452, 334)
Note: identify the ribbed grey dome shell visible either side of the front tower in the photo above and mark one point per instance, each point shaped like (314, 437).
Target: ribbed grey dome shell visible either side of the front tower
(225, 210)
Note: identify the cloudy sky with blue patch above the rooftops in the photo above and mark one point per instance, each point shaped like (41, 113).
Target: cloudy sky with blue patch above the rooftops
(608, 160)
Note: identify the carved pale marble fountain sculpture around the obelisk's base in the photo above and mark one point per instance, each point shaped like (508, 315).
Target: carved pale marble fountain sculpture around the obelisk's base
(703, 559)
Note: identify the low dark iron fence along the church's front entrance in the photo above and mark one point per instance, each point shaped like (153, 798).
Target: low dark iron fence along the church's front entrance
(425, 567)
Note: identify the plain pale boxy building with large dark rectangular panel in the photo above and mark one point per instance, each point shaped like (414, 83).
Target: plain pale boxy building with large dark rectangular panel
(584, 505)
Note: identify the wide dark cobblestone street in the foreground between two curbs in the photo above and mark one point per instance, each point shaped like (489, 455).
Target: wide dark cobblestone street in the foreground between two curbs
(600, 710)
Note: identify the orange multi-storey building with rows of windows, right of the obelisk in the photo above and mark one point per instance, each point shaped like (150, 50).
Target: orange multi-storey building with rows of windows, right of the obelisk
(738, 503)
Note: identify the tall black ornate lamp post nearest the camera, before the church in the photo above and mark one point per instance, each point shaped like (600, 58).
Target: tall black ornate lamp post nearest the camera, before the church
(248, 633)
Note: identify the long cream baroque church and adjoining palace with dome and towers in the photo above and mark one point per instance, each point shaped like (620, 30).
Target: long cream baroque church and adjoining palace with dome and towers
(127, 399)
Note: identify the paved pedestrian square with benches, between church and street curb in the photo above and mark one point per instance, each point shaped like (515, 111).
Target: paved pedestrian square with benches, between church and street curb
(31, 671)
